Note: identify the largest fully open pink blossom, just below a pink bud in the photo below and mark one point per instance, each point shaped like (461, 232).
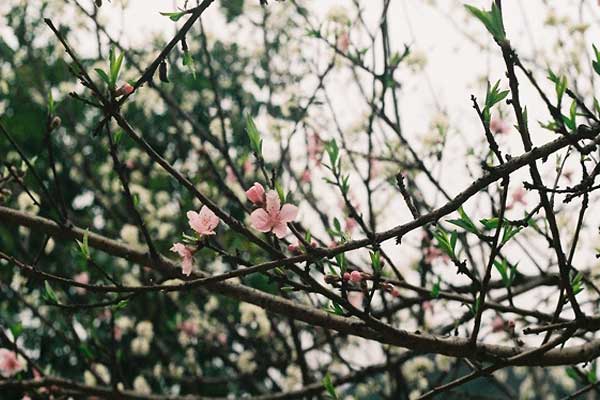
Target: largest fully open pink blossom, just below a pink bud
(274, 217)
